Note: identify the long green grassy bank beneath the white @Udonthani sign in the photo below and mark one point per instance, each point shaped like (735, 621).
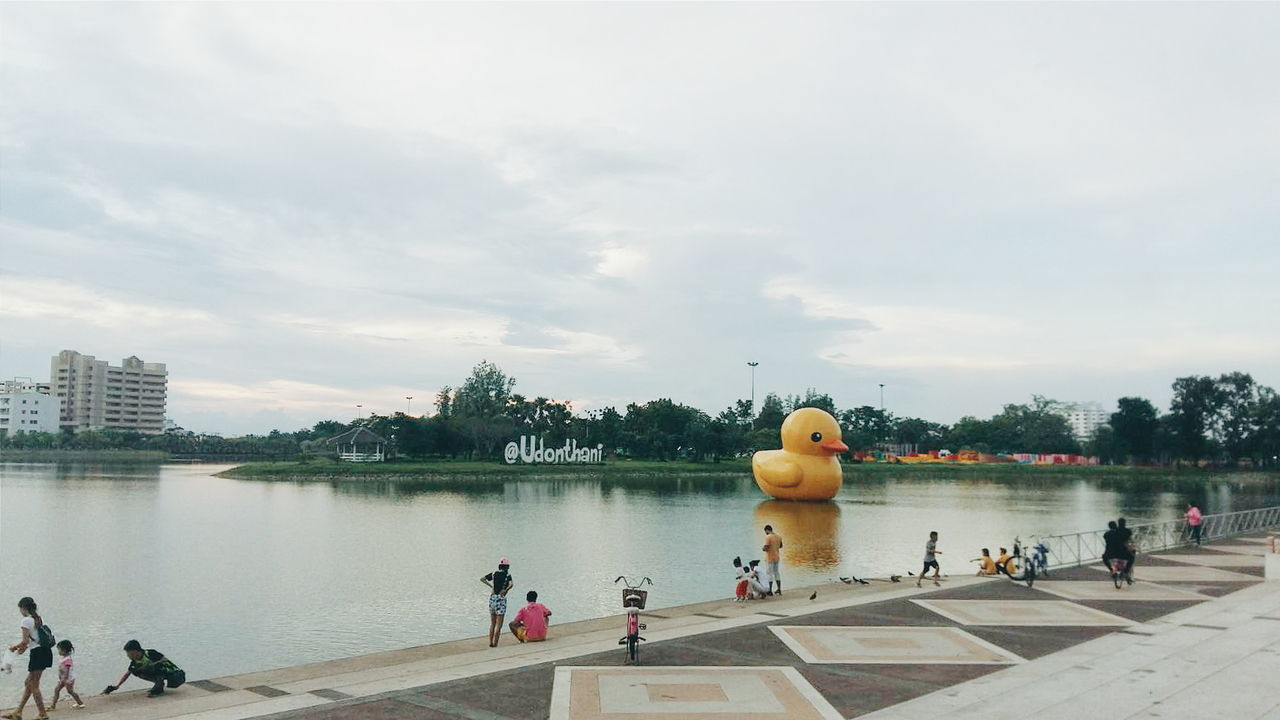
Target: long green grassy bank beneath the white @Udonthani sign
(327, 470)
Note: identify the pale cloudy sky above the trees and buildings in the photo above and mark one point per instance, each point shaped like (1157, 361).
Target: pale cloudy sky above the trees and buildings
(301, 208)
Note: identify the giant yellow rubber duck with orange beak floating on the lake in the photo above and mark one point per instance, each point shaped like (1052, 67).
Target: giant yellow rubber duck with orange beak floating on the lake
(807, 467)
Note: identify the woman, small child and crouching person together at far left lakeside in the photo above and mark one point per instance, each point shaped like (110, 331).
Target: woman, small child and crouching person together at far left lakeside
(38, 644)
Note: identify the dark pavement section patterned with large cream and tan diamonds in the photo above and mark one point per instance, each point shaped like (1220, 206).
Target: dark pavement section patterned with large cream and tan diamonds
(839, 663)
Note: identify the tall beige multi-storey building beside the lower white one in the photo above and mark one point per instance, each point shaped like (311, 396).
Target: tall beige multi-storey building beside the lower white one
(94, 395)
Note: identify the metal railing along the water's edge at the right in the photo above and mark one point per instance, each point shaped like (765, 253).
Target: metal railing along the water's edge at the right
(1078, 549)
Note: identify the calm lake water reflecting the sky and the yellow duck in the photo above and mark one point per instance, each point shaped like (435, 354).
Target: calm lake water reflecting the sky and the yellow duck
(237, 576)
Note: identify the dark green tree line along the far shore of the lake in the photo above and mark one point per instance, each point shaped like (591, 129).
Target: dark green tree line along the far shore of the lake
(1222, 420)
